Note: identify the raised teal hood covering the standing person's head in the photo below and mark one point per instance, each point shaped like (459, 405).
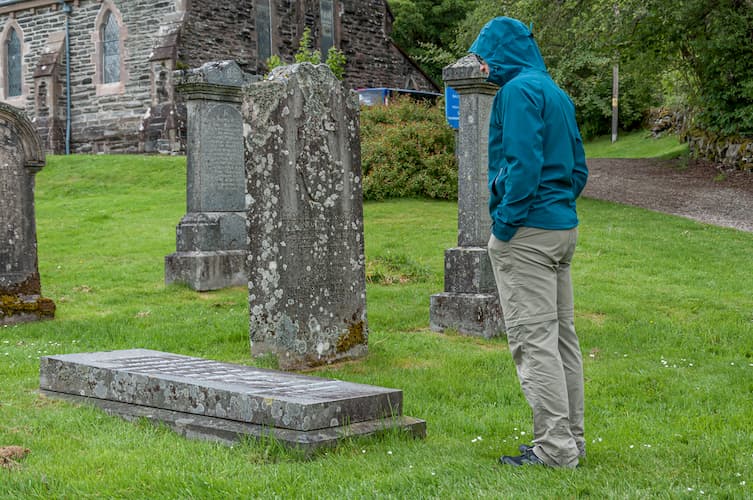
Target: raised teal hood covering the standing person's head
(508, 47)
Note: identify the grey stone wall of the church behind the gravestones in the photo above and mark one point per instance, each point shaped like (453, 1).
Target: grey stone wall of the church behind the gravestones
(142, 113)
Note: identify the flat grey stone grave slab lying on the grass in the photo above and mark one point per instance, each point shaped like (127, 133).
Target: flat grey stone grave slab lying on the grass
(200, 398)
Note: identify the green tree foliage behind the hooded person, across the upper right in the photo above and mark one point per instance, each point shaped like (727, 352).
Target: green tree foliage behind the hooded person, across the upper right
(695, 53)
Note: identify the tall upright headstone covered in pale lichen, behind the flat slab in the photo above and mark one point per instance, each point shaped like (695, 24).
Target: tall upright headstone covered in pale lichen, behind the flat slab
(307, 292)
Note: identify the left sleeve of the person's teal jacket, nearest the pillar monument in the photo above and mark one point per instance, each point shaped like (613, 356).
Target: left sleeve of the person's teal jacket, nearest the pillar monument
(523, 149)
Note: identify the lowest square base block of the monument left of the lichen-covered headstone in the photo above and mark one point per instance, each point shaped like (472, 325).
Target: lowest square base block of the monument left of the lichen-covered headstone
(204, 271)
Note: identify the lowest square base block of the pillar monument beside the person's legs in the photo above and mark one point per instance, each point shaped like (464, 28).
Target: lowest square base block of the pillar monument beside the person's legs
(476, 314)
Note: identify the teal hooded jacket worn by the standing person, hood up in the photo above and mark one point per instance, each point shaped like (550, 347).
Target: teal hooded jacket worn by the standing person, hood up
(537, 166)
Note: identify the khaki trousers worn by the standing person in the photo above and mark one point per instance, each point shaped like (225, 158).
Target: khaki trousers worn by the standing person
(532, 272)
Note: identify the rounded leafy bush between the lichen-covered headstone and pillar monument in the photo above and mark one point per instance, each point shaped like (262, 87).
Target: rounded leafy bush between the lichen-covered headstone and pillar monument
(408, 150)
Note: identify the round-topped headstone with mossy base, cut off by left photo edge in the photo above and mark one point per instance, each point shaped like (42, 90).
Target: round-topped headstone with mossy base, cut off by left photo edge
(21, 157)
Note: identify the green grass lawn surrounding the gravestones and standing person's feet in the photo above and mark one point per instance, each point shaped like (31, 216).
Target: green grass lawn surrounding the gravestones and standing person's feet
(664, 311)
